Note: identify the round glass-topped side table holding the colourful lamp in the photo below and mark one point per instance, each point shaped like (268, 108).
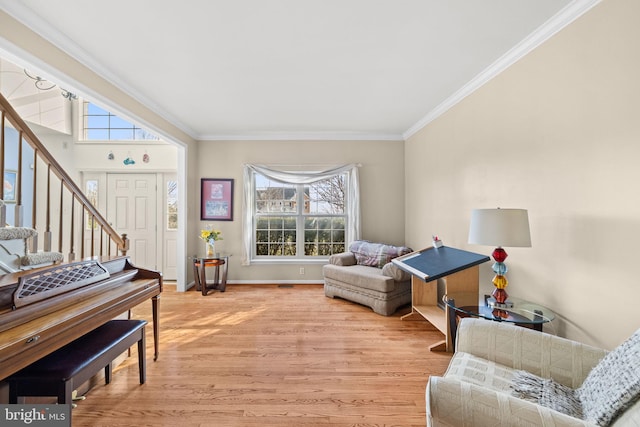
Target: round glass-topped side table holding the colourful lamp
(522, 313)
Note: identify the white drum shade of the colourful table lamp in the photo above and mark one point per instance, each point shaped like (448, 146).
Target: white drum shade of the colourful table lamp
(500, 227)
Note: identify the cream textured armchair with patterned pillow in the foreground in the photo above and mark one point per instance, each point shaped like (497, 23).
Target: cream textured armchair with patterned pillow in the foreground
(484, 382)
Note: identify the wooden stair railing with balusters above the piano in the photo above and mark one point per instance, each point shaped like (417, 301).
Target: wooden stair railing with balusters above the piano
(54, 199)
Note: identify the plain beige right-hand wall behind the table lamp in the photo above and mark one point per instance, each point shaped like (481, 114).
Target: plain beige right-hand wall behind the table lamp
(558, 134)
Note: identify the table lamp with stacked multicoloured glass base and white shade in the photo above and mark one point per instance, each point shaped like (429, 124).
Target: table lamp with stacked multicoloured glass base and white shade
(500, 227)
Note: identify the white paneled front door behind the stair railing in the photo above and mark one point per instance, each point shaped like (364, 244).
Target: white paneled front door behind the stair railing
(132, 210)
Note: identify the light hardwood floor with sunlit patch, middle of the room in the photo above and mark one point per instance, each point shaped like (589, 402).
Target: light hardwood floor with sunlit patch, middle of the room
(263, 355)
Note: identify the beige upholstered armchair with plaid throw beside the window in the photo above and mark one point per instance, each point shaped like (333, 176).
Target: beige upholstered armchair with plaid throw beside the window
(365, 275)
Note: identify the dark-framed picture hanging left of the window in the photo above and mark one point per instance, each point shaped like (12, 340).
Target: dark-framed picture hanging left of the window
(216, 199)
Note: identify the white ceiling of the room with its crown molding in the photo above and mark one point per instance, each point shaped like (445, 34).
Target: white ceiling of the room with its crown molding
(353, 69)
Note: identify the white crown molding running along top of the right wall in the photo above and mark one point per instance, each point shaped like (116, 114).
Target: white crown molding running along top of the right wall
(566, 16)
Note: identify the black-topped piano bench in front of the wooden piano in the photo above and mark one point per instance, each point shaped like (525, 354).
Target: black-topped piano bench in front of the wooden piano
(60, 372)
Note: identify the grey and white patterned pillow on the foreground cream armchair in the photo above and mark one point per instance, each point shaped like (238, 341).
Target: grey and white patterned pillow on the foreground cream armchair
(613, 385)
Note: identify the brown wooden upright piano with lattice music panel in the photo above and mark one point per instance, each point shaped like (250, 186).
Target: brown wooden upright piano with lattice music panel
(44, 309)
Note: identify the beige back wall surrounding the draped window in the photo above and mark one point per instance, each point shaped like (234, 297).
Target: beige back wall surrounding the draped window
(381, 184)
